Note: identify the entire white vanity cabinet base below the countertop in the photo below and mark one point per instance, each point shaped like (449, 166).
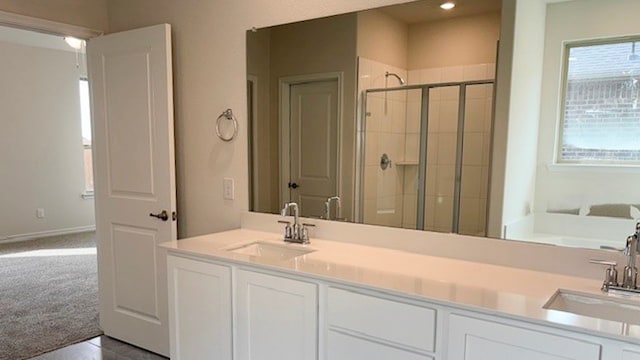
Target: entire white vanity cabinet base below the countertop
(231, 310)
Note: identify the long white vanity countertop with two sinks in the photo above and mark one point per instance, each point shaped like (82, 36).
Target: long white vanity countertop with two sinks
(492, 289)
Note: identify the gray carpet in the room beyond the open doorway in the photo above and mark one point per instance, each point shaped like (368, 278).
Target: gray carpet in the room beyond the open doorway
(48, 297)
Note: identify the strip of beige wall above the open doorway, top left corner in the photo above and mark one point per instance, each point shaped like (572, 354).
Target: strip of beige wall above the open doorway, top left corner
(86, 13)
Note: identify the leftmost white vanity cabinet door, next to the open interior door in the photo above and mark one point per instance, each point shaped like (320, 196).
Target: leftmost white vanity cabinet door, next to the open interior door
(199, 309)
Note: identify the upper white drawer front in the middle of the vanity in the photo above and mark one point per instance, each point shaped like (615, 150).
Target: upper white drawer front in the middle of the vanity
(382, 319)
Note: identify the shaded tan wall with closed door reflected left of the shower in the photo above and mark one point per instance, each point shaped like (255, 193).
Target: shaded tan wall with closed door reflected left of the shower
(304, 148)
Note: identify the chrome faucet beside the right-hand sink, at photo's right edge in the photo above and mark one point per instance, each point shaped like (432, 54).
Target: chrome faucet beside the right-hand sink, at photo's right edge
(630, 274)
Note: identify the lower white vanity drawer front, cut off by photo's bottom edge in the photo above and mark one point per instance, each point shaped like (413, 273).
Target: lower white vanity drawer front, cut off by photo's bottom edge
(343, 346)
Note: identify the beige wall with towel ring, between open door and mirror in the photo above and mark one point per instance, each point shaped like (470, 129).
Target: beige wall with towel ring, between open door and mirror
(209, 76)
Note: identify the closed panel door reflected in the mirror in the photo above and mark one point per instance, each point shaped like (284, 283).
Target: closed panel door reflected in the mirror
(314, 144)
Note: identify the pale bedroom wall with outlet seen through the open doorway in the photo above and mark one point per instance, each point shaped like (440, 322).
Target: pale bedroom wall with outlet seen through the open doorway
(41, 148)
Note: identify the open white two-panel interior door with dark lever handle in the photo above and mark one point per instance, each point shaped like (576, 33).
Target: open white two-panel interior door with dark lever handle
(131, 89)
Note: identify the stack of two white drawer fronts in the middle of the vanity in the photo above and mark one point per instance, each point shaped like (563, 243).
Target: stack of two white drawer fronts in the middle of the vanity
(361, 326)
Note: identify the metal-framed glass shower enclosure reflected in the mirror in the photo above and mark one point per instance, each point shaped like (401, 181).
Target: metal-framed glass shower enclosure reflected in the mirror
(425, 156)
